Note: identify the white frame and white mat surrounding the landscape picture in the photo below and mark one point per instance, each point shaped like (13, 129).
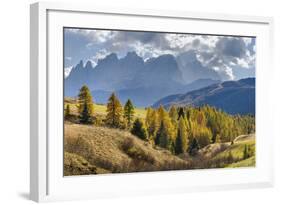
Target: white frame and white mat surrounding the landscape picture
(46, 178)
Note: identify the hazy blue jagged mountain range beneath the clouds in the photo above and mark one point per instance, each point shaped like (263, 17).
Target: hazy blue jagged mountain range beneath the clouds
(144, 82)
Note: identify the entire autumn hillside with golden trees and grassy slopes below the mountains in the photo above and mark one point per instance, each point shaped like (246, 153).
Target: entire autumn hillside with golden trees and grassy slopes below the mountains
(122, 138)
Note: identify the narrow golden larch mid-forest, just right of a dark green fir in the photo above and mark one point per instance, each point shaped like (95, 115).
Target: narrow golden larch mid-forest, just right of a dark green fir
(182, 138)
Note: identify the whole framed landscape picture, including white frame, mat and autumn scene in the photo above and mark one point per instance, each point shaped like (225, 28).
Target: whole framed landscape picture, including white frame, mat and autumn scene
(127, 102)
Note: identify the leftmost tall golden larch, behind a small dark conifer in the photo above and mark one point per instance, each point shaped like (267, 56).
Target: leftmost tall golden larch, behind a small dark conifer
(85, 96)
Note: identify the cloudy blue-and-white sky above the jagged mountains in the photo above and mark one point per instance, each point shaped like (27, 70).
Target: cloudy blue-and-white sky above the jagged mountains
(231, 56)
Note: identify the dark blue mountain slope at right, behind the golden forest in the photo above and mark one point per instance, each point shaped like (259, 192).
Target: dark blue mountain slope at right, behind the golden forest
(234, 97)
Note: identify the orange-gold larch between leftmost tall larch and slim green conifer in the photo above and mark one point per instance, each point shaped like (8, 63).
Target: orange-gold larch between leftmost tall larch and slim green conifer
(114, 112)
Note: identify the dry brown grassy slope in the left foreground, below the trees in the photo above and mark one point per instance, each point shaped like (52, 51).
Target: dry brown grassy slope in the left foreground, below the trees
(112, 150)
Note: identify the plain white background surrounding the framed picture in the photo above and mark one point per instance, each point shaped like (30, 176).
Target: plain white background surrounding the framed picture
(14, 101)
